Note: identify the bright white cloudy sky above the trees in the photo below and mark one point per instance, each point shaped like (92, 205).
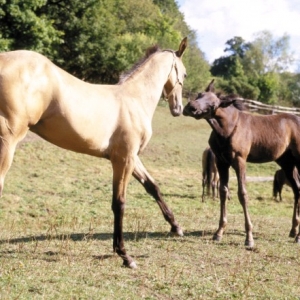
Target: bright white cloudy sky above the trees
(217, 21)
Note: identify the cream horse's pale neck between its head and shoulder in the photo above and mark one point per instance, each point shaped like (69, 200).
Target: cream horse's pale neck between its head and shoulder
(147, 83)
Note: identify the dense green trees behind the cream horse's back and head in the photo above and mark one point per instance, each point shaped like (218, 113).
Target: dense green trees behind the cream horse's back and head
(96, 40)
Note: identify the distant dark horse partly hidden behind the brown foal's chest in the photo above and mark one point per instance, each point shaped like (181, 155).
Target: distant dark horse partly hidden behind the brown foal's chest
(210, 175)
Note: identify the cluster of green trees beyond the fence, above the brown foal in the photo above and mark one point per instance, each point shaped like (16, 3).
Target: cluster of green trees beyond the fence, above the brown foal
(253, 70)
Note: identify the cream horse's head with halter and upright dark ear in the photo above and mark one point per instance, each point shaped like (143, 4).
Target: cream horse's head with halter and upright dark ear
(174, 83)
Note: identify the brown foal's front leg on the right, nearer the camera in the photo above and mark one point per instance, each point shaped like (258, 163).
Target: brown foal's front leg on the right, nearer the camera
(240, 168)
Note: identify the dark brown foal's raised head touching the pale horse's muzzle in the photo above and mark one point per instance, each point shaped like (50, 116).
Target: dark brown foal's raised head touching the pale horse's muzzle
(206, 104)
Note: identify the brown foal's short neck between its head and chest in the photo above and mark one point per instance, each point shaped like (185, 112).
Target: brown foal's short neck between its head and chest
(224, 121)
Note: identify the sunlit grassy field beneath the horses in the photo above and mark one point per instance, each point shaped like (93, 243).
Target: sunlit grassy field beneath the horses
(56, 227)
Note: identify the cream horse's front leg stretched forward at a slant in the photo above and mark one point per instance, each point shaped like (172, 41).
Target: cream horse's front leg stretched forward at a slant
(141, 174)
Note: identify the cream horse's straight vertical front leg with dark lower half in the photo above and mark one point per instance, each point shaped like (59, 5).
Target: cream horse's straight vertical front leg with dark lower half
(122, 170)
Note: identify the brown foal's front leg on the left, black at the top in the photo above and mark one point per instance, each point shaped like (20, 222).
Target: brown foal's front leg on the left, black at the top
(223, 169)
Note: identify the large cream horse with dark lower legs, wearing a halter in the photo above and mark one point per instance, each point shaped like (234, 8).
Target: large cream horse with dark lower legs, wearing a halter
(107, 121)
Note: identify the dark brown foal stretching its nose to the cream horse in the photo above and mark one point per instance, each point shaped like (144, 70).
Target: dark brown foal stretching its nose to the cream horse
(238, 137)
